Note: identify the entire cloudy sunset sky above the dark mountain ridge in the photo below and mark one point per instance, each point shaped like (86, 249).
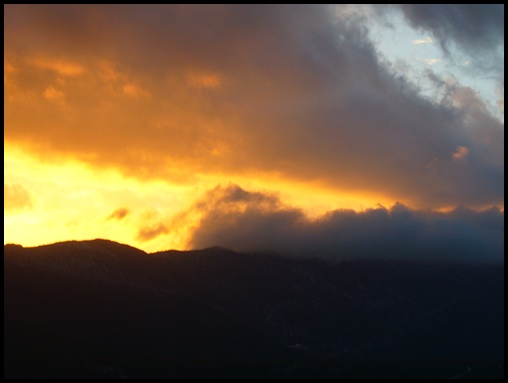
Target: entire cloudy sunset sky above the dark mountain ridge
(347, 129)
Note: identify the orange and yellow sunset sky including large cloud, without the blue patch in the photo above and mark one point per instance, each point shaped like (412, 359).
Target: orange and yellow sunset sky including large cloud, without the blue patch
(118, 119)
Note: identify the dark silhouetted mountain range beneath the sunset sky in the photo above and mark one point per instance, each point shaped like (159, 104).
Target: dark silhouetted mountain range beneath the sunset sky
(100, 309)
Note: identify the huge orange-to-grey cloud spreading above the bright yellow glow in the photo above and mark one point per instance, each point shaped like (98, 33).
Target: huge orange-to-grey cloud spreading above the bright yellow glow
(239, 91)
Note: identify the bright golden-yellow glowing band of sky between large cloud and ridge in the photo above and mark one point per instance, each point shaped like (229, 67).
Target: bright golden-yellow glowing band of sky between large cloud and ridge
(65, 199)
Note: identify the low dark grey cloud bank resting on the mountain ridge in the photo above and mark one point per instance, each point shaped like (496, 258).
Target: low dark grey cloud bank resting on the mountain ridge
(245, 221)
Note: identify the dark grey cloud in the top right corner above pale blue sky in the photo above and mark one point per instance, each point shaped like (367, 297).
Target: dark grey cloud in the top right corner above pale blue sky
(476, 29)
